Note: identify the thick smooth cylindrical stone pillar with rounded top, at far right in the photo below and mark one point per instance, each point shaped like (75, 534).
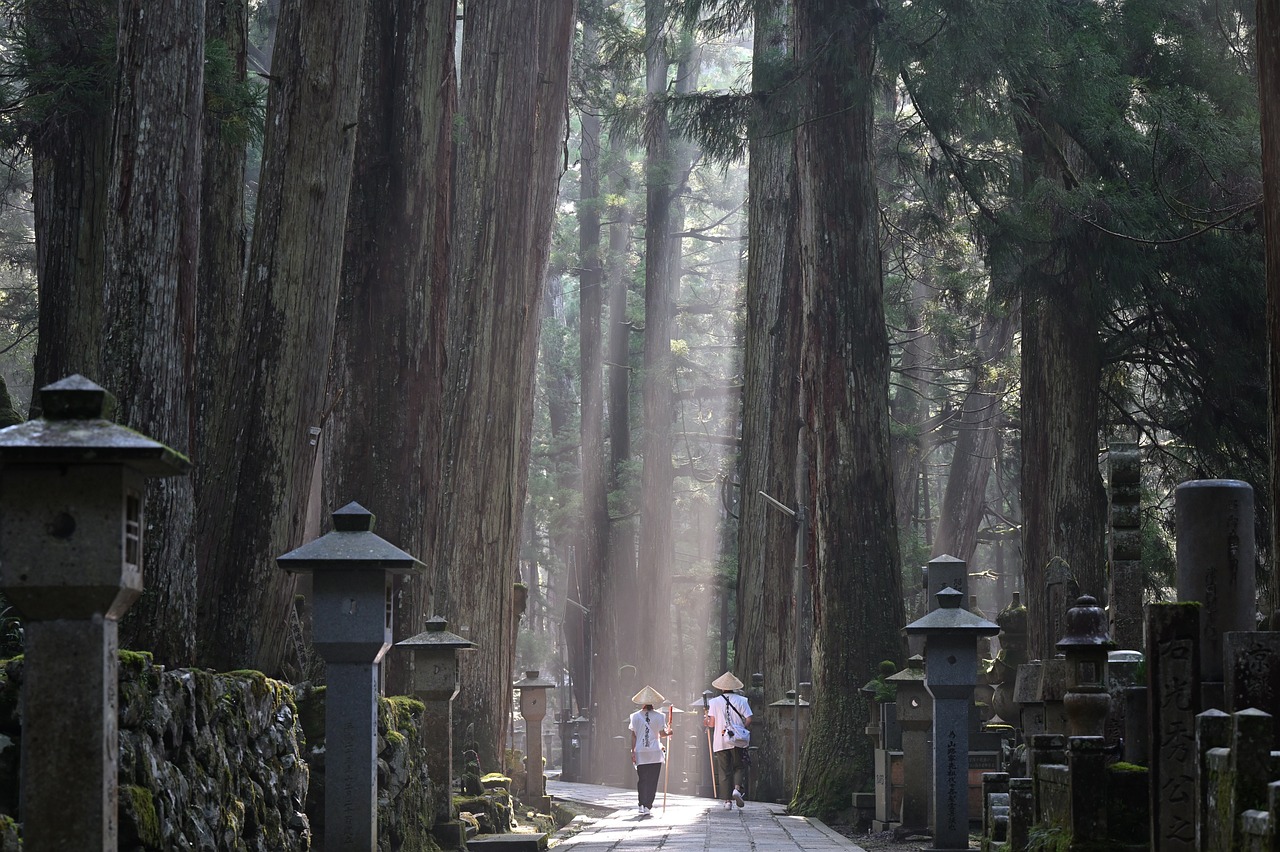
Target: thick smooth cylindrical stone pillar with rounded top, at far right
(1217, 567)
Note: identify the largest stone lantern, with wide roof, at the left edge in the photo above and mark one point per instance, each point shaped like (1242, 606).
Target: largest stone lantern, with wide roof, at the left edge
(71, 564)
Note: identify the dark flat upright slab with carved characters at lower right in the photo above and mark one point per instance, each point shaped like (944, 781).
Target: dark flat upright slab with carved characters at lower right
(1173, 699)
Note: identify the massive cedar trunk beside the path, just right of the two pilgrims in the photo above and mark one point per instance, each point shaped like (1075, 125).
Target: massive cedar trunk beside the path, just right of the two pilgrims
(858, 596)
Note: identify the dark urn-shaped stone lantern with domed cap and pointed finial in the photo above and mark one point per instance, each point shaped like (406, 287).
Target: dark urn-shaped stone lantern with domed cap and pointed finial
(1086, 648)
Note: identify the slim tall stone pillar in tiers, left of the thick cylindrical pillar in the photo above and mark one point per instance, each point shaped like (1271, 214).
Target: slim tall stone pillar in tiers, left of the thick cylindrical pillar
(1126, 546)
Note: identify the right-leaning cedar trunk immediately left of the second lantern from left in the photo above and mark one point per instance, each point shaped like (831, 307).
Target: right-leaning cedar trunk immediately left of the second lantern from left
(258, 487)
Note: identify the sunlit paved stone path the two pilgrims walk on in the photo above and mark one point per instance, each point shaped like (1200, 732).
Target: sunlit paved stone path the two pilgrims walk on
(689, 824)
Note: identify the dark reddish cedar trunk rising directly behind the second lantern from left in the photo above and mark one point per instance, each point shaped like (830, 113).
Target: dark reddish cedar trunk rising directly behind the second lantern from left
(388, 359)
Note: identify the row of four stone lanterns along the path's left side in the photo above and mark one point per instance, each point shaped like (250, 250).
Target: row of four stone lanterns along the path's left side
(71, 564)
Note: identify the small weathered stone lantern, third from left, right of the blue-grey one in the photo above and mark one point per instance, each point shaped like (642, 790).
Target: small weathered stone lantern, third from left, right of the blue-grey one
(433, 670)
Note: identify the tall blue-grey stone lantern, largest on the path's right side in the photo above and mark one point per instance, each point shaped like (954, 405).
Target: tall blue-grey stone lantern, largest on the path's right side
(952, 638)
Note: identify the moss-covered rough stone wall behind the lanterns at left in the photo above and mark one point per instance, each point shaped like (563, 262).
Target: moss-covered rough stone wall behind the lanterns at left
(231, 763)
